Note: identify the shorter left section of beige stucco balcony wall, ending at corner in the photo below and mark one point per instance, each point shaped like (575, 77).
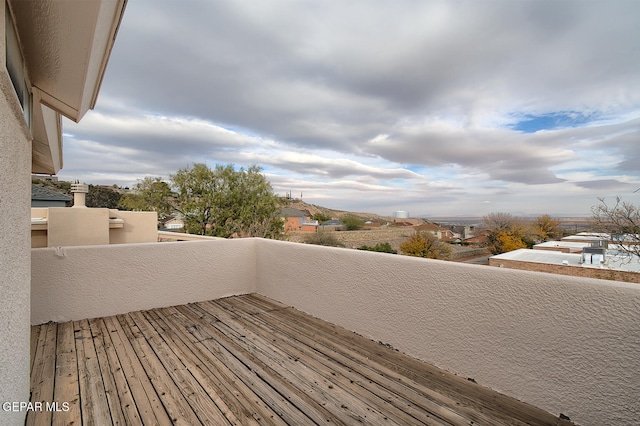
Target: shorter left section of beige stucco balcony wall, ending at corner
(71, 283)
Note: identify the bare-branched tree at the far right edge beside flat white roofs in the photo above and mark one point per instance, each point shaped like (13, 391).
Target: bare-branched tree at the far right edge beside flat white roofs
(621, 221)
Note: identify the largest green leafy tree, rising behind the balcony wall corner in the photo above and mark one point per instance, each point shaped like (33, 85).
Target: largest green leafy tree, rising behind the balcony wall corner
(225, 202)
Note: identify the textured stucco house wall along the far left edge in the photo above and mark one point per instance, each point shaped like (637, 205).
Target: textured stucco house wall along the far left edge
(15, 245)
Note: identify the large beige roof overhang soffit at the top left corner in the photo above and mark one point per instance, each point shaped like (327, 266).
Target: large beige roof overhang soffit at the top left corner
(66, 45)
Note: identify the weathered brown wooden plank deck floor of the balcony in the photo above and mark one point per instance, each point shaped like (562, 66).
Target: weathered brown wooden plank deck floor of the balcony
(245, 360)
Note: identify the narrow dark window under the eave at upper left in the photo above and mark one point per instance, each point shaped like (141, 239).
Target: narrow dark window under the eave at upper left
(15, 66)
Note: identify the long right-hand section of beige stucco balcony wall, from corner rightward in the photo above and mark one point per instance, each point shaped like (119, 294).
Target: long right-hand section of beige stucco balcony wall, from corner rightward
(565, 344)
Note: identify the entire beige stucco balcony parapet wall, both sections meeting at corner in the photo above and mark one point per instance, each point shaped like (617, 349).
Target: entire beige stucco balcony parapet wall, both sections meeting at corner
(565, 344)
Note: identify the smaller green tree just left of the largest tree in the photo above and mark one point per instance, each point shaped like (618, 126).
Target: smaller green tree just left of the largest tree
(149, 194)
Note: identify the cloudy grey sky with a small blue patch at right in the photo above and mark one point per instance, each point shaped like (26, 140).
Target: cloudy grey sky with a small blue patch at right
(435, 107)
